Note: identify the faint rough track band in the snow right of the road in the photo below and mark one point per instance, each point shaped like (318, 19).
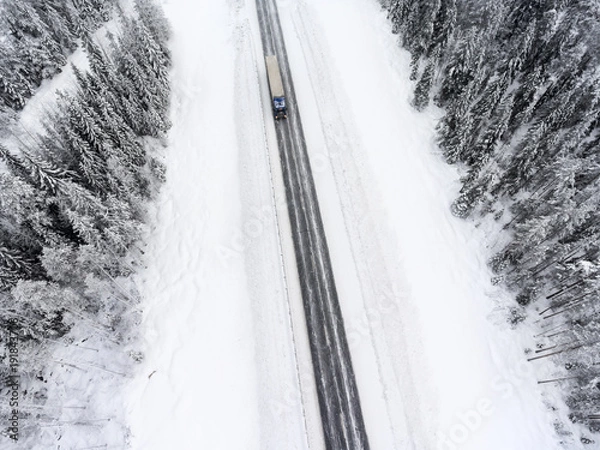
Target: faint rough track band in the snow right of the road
(344, 154)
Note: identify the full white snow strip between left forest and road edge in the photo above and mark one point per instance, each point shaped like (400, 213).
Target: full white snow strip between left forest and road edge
(220, 369)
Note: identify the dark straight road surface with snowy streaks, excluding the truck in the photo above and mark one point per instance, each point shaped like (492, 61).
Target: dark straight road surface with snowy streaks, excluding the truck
(339, 403)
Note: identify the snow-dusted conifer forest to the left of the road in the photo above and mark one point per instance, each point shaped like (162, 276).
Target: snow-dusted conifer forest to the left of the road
(74, 196)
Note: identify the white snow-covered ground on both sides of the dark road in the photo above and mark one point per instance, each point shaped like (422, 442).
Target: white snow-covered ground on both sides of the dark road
(227, 363)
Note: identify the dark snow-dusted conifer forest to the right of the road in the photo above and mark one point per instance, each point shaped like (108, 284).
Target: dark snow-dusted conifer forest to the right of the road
(519, 84)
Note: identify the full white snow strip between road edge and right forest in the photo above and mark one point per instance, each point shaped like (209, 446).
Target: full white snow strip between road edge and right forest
(431, 313)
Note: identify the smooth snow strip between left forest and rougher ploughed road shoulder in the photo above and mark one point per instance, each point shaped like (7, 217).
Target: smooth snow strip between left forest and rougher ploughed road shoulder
(199, 354)
